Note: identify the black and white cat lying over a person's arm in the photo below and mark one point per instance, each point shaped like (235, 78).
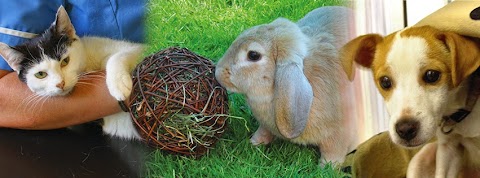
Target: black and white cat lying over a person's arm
(50, 65)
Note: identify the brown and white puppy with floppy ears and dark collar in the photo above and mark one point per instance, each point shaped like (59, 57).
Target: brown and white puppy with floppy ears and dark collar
(423, 74)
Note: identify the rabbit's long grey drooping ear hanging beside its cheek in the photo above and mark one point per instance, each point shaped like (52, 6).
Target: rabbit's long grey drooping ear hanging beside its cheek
(293, 99)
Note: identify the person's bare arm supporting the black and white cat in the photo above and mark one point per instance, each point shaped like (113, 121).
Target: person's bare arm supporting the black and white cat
(87, 102)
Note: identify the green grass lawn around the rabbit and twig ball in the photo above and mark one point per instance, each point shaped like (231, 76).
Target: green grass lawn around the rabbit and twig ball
(208, 27)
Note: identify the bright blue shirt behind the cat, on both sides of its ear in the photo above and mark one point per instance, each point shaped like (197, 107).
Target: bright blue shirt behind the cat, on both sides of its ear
(118, 19)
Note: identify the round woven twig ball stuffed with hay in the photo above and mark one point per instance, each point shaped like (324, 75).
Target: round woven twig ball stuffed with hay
(176, 103)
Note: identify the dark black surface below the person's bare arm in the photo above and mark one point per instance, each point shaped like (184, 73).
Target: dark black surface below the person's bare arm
(80, 151)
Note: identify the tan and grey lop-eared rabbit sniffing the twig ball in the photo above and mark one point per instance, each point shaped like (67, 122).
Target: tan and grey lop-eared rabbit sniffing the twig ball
(292, 78)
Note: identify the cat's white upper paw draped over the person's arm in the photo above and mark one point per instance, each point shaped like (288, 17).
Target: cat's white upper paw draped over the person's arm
(119, 85)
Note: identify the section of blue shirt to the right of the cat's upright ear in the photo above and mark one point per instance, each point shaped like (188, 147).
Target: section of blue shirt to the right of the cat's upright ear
(118, 19)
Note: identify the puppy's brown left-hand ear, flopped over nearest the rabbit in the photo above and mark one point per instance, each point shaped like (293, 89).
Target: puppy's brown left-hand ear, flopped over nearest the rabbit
(361, 50)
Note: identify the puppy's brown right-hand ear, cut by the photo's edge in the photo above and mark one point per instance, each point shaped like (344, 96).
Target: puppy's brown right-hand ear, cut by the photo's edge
(464, 53)
